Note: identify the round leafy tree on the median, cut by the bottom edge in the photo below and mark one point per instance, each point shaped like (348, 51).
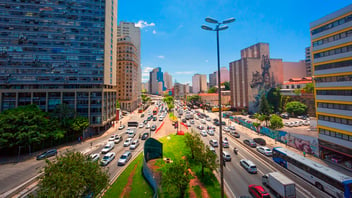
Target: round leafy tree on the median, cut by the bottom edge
(176, 178)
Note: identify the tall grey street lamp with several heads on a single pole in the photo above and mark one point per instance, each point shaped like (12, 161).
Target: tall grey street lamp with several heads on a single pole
(218, 28)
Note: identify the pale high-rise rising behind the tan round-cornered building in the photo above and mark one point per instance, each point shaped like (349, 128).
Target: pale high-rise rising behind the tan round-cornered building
(129, 29)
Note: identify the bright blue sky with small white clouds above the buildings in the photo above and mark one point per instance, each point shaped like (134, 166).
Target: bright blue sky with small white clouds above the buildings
(171, 37)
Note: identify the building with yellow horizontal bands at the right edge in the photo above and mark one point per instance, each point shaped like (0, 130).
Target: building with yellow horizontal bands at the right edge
(331, 38)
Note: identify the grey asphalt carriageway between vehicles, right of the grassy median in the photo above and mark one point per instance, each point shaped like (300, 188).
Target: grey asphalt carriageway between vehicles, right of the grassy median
(237, 179)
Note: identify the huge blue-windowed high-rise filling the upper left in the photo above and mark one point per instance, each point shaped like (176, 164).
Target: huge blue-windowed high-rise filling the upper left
(63, 52)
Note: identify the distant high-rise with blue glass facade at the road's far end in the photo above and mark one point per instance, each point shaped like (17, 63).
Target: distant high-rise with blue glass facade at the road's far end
(156, 76)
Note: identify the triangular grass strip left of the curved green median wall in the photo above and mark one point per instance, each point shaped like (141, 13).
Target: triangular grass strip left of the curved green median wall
(139, 187)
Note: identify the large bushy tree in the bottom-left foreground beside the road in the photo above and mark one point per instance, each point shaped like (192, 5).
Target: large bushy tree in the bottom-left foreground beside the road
(72, 175)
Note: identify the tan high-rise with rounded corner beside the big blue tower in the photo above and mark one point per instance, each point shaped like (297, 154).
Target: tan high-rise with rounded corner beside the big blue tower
(127, 75)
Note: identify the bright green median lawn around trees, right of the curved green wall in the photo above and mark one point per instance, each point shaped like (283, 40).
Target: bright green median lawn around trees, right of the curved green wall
(174, 147)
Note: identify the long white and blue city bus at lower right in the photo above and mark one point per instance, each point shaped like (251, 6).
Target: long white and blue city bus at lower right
(323, 177)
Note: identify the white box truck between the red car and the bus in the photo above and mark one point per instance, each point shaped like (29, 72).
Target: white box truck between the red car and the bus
(280, 184)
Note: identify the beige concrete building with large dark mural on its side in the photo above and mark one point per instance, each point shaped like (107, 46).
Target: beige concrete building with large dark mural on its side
(253, 75)
